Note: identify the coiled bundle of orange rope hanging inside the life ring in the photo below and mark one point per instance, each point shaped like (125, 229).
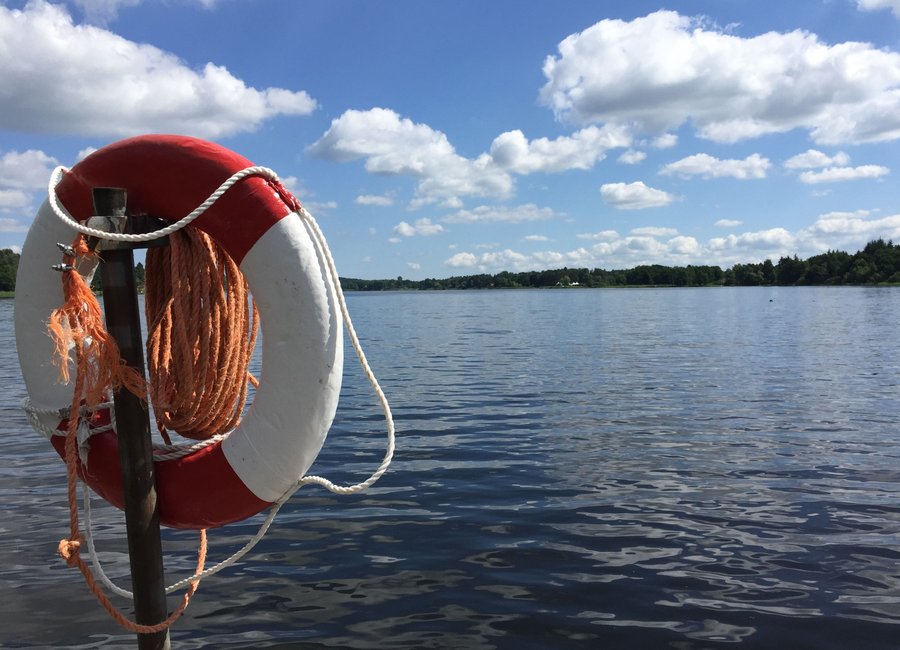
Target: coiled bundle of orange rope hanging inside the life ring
(201, 335)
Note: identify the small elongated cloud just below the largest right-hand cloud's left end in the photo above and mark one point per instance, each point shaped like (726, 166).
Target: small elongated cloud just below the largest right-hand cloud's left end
(512, 150)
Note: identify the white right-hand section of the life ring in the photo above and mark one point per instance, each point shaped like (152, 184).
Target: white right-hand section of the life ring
(302, 358)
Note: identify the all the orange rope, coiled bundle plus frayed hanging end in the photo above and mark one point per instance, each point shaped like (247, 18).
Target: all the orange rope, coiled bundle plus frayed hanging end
(202, 331)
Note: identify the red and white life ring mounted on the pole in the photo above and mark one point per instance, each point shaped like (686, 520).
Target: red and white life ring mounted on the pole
(302, 348)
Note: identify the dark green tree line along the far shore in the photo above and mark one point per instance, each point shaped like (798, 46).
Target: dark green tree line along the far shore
(877, 263)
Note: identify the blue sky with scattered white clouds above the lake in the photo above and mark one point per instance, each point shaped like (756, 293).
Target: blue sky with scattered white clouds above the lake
(452, 137)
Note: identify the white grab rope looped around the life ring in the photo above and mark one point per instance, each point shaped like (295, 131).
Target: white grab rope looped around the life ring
(180, 450)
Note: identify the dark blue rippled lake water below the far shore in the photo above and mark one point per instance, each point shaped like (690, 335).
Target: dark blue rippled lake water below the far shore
(672, 468)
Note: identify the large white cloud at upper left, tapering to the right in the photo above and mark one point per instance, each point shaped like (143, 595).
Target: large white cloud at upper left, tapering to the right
(84, 80)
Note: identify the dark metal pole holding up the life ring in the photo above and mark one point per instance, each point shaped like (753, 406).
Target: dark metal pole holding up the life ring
(133, 426)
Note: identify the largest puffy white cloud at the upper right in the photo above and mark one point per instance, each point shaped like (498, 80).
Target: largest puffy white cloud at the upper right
(662, 70)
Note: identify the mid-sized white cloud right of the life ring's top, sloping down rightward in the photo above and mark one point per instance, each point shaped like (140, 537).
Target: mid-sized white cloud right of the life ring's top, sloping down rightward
(394, 145)
